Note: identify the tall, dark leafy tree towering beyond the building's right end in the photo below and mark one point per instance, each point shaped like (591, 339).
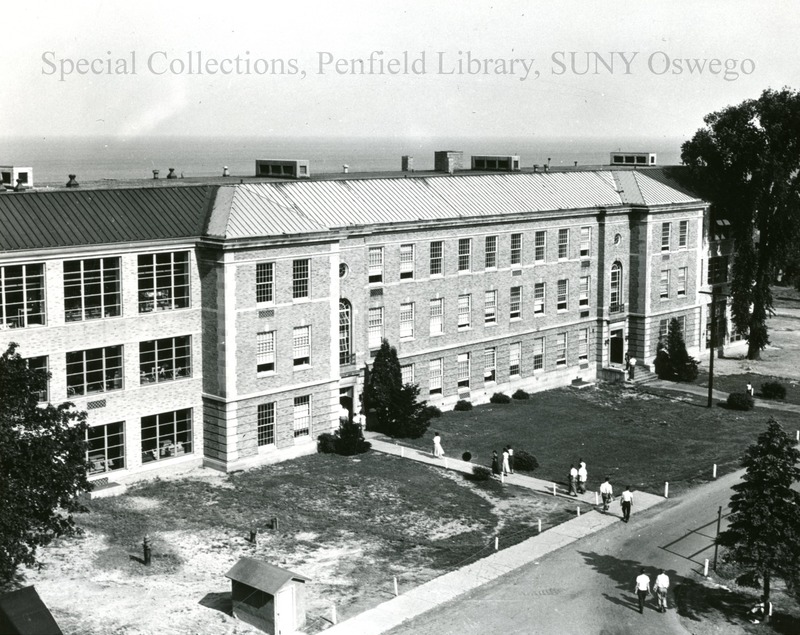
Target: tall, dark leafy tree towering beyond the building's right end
(746, 162)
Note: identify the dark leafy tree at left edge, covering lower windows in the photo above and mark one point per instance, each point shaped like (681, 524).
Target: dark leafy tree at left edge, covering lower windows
(43, 466)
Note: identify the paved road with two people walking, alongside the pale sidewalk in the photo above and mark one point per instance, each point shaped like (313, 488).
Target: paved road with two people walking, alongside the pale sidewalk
(587, 588)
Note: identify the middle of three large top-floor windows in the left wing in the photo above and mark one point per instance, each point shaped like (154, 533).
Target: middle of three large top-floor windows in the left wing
(91, 289)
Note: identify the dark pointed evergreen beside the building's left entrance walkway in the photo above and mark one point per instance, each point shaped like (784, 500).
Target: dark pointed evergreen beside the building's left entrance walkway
(392, 407)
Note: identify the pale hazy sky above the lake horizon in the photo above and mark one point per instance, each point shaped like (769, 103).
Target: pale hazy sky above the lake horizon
(503, 69)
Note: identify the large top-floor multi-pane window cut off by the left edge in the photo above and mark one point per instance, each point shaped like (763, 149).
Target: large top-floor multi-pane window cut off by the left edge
(22, 296)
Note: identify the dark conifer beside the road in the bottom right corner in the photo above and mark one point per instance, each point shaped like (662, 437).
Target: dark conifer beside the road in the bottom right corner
(763, 537)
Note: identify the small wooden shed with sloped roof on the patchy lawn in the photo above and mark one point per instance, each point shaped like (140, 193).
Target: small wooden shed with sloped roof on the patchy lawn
(268, 597)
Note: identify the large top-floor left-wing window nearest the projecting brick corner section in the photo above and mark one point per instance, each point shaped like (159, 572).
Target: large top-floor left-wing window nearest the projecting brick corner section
(163, 281)
